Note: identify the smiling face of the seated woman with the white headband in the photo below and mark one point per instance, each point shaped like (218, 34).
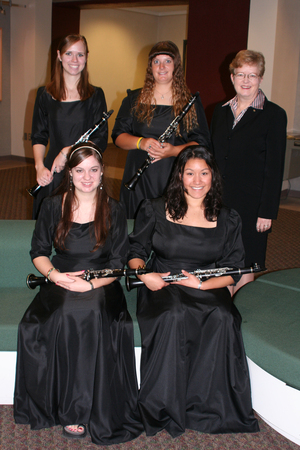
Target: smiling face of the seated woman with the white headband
(87, 175)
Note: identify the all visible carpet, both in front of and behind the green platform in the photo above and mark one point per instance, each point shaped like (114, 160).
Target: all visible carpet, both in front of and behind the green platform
(283, 253)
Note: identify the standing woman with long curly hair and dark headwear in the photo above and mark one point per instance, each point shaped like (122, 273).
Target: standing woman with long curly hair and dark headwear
(143, 117)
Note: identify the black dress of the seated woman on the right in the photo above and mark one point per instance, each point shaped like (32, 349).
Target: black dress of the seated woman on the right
(194, 372)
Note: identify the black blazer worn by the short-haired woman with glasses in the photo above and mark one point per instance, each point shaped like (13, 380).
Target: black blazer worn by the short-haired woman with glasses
(251, 158)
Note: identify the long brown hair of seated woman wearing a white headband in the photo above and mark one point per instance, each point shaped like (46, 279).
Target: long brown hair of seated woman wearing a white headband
(102, 219)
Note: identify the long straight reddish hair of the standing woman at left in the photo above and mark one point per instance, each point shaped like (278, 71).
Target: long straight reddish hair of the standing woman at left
(56, 87)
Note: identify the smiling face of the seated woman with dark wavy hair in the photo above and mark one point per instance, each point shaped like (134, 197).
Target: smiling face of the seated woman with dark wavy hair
(196, 178)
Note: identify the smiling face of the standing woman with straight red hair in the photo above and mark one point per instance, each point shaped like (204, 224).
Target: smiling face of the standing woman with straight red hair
(74, 59)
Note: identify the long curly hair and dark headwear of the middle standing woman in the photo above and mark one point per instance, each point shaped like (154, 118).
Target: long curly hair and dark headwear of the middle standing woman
(181, 94)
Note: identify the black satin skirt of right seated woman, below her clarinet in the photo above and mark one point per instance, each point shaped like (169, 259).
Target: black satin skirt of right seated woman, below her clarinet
(194, 373)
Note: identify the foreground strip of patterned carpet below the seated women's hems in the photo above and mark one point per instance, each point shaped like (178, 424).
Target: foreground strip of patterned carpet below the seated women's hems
(20, 437)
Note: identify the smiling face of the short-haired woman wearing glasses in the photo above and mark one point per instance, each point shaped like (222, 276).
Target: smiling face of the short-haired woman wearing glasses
(246, 86)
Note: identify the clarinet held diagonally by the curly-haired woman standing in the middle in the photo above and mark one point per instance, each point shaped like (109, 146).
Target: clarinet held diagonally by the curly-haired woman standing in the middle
(131, 184)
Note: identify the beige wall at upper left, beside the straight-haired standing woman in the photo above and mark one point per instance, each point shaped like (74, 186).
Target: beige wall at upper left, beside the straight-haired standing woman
(30, 46)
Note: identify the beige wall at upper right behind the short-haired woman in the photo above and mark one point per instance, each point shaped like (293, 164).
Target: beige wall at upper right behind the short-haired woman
(274, 30)
